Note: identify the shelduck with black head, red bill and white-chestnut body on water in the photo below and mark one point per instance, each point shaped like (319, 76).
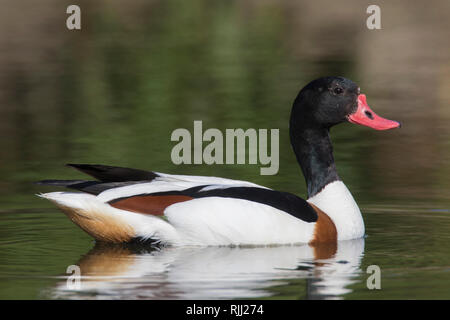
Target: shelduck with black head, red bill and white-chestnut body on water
(125, 205)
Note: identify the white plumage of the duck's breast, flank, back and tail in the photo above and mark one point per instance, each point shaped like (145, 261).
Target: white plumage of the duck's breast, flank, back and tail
(213, 220)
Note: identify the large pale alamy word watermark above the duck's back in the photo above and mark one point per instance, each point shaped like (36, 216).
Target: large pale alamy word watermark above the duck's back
(235, 146)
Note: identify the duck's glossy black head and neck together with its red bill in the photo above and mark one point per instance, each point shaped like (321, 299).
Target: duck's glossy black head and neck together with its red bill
(320, 105)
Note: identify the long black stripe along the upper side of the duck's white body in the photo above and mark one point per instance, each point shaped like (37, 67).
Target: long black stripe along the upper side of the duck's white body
(283, 201)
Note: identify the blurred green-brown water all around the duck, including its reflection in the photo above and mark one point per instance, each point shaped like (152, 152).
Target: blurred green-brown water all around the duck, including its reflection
(115, 91)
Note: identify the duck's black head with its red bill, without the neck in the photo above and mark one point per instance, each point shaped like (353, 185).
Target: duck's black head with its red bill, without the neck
(328, 101)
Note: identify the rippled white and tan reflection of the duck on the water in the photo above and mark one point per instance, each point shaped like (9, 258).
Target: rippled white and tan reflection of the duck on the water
(123, 272)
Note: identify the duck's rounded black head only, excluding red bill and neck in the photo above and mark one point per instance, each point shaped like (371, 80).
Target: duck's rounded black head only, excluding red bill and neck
(325, 102)
